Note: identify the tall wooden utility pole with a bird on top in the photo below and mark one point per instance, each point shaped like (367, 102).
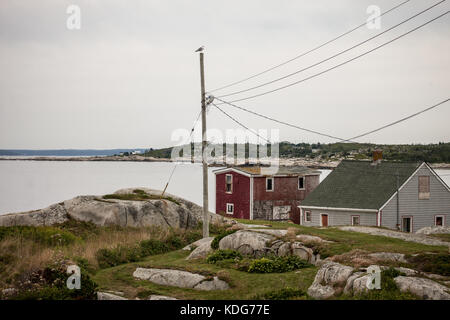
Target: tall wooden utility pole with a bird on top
(205, 164)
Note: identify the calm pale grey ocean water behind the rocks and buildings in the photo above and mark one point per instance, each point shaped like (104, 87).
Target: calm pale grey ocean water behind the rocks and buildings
(30, 185)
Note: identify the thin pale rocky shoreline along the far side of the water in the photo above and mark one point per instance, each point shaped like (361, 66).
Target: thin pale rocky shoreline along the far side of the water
(137, 158)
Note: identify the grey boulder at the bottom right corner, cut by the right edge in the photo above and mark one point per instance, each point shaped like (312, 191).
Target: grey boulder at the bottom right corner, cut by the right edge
(424, 288)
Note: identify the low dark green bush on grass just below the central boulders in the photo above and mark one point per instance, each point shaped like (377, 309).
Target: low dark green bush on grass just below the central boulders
(277, 264)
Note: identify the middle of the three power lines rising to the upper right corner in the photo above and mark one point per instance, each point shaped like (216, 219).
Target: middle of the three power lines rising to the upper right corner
(333, 56)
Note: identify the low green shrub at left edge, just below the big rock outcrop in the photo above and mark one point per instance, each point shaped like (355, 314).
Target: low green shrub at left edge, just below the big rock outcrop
(49, 236)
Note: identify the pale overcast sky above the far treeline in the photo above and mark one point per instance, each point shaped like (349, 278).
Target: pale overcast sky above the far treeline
(129, 77)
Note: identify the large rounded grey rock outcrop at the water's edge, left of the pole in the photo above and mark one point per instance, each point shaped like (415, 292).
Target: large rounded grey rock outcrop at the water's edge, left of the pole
(173, 212)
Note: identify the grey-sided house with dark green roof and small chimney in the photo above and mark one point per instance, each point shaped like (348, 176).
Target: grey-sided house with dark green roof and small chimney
(365, 193)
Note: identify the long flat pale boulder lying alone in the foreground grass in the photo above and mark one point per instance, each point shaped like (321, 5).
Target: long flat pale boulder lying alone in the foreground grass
(181, 279)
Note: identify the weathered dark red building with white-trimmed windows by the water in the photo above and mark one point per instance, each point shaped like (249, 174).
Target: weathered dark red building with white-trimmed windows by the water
(243, 192)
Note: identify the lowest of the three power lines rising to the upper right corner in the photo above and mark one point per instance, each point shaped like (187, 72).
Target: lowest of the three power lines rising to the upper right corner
(341, 64)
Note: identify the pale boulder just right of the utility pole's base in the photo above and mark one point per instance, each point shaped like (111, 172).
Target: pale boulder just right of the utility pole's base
(247, 242)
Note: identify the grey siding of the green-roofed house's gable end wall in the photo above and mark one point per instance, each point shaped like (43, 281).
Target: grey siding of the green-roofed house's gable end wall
(422, 211)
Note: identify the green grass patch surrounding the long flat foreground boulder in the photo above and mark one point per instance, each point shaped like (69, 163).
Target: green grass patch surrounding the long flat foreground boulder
(244, 285)
